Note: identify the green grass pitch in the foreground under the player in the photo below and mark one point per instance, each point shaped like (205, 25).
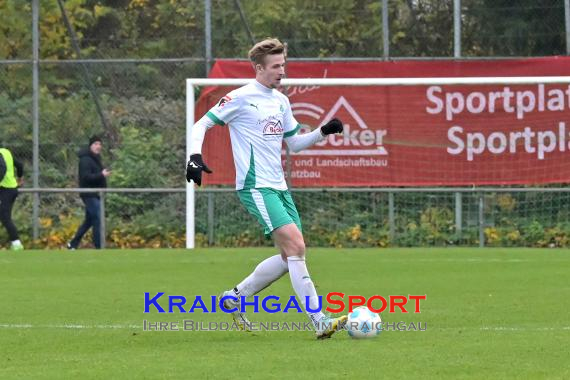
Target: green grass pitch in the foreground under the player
(490, 314)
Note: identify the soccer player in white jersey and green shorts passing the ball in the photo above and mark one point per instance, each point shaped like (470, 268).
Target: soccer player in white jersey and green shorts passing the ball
(259, 118)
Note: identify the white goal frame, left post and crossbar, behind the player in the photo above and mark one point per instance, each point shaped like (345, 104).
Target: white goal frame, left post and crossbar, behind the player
(193, 83)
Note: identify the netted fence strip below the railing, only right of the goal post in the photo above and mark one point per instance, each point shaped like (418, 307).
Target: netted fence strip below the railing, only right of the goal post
(400, 217)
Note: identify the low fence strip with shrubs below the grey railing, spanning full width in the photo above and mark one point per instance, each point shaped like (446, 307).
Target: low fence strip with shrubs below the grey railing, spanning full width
(330, 217)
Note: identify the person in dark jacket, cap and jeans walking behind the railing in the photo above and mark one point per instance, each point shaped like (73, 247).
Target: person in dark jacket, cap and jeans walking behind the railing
(92, 174)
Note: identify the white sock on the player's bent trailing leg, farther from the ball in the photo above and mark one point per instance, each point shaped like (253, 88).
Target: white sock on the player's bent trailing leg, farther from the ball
(266, 272)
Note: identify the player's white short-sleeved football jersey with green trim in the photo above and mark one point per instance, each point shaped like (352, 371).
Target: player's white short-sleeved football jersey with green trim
(259, 118)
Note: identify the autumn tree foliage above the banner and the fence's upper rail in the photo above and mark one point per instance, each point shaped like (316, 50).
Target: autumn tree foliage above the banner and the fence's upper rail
(313, 28)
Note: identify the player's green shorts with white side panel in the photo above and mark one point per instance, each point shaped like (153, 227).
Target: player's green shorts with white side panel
(272, 208)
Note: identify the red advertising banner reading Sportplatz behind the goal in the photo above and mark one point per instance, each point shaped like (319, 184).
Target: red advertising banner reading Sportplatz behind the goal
(433, 135)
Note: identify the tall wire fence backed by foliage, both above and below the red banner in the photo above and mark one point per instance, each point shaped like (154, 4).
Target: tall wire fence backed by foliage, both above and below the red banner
(117, 68)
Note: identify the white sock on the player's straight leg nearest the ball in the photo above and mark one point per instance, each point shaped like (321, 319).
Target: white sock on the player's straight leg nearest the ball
(304, 286)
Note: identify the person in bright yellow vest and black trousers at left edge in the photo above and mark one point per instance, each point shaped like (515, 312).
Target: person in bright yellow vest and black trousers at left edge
(11, 176)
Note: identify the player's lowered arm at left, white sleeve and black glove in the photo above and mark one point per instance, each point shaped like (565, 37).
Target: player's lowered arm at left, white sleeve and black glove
(221, 114)
